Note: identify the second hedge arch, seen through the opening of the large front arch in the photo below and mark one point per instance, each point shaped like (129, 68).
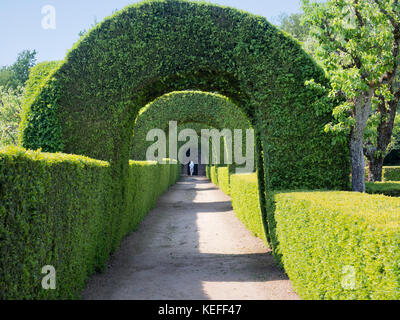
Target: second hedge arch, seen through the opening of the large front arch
(183, 107)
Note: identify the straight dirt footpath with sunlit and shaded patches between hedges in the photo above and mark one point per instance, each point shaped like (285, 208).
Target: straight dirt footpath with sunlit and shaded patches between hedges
(191, 247)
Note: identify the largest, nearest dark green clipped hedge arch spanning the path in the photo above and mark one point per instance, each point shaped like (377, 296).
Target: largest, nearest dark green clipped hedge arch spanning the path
(89, 104)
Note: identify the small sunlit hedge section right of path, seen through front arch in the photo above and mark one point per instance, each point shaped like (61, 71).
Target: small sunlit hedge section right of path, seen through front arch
(245, 201)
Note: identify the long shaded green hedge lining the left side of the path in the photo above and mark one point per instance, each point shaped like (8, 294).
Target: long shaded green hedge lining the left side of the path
(57, 209)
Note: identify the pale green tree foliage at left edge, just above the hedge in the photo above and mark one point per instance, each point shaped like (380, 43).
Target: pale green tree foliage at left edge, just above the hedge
(10, 115)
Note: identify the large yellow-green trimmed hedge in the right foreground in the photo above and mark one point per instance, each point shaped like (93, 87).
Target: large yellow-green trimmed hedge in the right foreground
(326, 238)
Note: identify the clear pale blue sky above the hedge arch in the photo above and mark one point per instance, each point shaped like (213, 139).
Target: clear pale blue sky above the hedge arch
(21, 22)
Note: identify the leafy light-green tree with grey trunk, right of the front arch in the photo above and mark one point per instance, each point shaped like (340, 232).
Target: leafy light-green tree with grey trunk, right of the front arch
(357, 43)
